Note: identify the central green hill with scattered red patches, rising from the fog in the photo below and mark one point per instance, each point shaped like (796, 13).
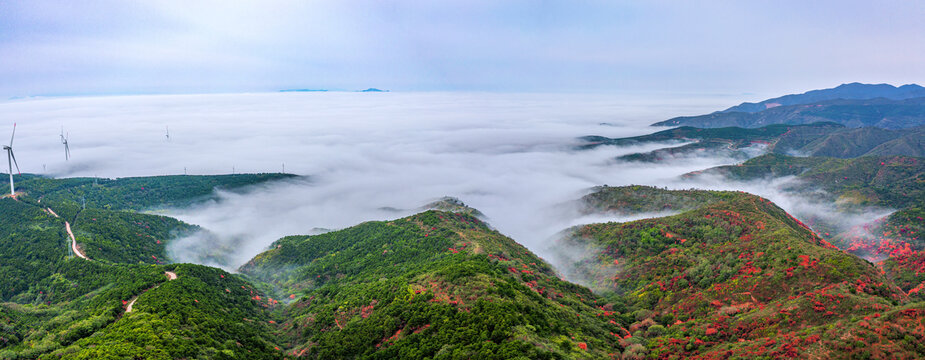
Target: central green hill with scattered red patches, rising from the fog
(434, 285)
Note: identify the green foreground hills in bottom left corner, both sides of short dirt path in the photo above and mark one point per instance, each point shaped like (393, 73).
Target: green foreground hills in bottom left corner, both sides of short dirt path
(80, 312)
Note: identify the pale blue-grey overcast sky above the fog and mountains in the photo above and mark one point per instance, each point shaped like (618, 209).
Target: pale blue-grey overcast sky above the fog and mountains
(723, 47)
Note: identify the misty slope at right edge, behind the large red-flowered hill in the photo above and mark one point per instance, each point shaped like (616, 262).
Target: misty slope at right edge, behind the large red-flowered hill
(896, 241)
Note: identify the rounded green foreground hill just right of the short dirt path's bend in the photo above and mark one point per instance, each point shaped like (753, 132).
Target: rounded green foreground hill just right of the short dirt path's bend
(204, 313)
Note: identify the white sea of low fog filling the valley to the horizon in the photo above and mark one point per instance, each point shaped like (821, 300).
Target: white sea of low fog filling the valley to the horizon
(509, 156)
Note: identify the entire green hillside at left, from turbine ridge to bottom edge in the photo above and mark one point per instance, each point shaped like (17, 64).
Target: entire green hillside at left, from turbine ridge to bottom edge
(56, 304)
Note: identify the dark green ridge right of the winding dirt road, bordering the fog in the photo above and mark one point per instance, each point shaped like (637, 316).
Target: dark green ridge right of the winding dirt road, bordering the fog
(104, 214)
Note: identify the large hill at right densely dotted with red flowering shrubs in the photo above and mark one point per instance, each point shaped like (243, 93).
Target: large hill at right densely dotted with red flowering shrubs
(740, 277)
